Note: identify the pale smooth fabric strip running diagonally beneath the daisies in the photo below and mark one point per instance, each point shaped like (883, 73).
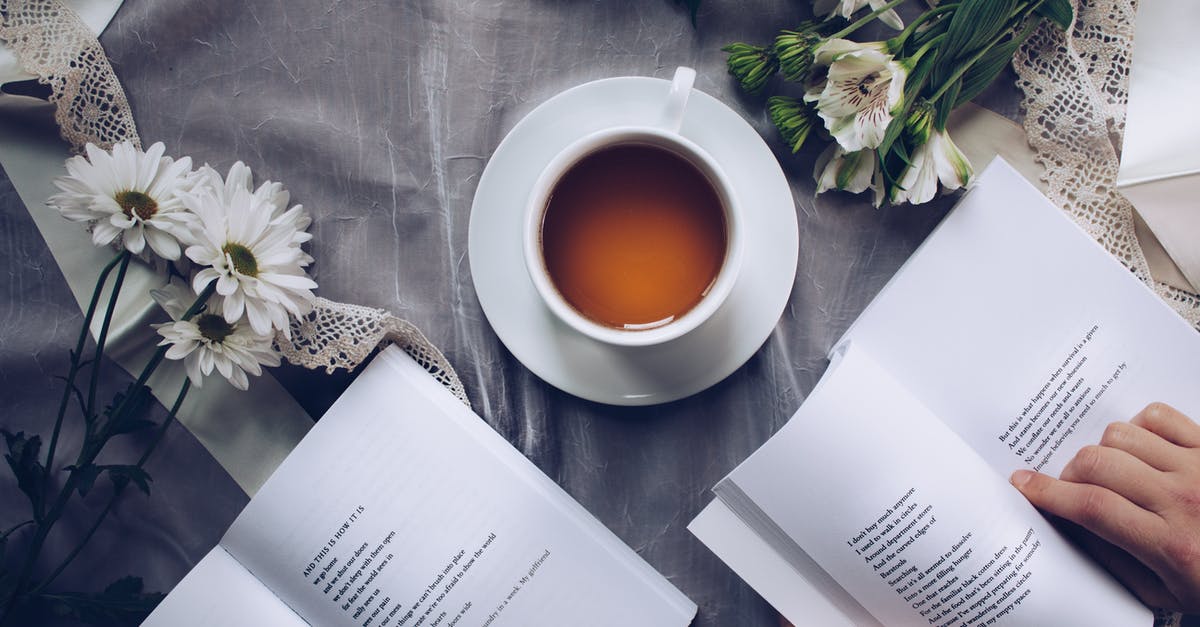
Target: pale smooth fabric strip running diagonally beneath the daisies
(249, 433)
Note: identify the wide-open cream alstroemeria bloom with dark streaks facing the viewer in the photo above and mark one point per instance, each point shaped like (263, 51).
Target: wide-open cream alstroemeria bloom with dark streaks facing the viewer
(862, 92)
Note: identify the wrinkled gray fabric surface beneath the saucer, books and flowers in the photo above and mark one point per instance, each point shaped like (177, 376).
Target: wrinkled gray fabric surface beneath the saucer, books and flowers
(380, 118)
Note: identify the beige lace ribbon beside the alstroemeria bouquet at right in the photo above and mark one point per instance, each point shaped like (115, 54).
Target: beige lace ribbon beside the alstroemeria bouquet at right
(1076, 92)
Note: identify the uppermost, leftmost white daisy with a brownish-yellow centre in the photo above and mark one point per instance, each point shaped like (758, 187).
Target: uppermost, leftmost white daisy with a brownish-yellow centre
(129, 195)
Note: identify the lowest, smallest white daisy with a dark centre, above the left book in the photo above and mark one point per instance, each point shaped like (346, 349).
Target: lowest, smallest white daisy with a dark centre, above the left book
(208, 342)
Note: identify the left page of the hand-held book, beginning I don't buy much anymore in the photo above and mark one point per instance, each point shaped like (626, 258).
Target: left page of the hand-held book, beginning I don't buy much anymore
(913, 523)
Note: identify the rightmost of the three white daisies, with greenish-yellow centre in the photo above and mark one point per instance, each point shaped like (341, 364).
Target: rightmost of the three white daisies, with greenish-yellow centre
(251, 247)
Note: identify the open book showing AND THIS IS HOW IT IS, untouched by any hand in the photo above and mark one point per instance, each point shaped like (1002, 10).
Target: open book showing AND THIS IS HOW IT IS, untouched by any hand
(403, 509)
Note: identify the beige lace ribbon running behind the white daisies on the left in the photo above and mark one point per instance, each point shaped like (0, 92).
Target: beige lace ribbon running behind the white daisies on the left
(52, 43)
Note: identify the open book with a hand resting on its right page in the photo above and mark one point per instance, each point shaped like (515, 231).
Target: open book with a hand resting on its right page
(1010, 341)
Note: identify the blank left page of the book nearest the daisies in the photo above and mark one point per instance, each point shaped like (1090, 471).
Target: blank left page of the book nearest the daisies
(221, 592)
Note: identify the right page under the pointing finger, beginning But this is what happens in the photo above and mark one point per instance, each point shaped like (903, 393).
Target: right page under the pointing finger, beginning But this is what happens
(1023, 335)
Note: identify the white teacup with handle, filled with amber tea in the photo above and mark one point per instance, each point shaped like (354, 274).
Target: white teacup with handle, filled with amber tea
(633, 234)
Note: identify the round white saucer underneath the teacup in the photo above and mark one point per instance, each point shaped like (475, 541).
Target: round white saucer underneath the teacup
(575, 363)
